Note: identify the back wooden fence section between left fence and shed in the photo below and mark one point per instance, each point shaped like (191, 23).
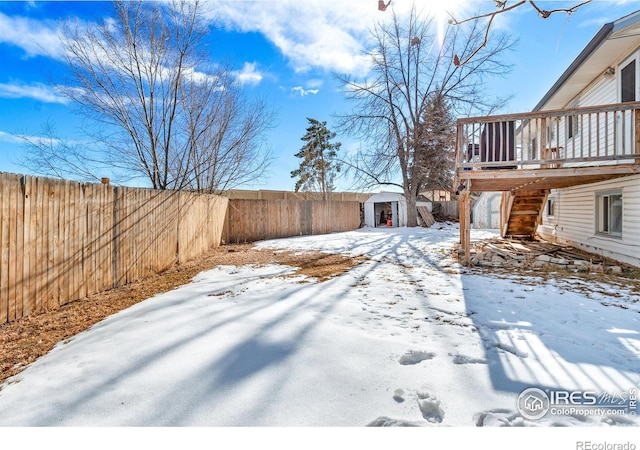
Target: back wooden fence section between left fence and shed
(253, 220)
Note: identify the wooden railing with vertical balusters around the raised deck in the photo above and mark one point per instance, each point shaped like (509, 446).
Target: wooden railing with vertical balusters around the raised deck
(577, 137)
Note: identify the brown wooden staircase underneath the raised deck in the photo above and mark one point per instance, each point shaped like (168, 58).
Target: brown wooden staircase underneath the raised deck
(521, 212)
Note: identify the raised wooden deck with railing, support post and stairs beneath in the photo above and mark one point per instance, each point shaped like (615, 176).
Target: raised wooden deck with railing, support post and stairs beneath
(526, 155)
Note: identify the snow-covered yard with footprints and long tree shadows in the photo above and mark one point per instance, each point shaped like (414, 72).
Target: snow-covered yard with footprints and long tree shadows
(407, 337)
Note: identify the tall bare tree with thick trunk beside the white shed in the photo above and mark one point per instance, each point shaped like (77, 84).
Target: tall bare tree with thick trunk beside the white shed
(395, 107)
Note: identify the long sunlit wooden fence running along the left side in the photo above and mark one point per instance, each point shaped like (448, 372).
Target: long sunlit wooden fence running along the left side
(62, 240)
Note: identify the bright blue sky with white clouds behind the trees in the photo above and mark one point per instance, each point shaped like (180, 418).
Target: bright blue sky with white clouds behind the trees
(284, 50)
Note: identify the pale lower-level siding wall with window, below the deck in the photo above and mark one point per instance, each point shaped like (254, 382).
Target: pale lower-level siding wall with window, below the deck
(574, 220)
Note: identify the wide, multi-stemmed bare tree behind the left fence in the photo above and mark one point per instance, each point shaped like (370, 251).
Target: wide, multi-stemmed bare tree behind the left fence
(161, 110)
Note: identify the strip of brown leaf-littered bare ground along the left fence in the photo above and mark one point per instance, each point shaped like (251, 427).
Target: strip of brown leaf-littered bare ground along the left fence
(25, 340)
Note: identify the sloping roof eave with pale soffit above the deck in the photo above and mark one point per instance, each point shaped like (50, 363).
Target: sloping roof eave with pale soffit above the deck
(614, 41)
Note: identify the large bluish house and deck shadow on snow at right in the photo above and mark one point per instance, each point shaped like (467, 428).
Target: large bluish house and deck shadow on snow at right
(536, 336)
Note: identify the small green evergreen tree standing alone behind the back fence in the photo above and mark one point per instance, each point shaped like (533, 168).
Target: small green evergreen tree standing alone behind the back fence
(318, 168)
